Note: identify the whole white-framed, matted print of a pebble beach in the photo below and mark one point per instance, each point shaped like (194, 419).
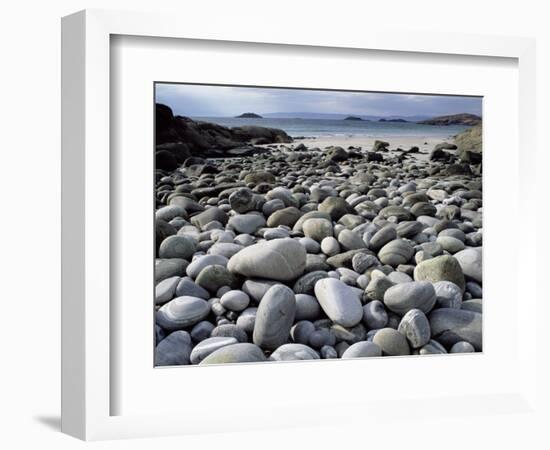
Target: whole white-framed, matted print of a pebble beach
(263, 232)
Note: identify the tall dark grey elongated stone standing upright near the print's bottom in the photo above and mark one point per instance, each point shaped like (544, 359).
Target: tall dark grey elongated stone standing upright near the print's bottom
(274, 317)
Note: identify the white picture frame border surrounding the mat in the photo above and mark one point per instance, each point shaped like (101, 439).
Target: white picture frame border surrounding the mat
(87, 325)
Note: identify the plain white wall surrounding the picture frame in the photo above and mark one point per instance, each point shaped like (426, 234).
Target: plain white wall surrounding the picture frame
(31, 52)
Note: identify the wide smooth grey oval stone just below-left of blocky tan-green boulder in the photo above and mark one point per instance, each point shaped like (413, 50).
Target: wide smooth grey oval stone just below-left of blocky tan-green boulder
(403, 297)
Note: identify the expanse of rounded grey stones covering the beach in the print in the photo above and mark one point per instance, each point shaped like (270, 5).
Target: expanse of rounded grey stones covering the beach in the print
(302, 253)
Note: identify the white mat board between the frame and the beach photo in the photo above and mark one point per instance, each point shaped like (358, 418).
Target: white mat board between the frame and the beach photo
(138, 62)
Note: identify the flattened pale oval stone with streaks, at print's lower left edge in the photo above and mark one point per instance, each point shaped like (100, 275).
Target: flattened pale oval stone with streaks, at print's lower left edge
(182, 312)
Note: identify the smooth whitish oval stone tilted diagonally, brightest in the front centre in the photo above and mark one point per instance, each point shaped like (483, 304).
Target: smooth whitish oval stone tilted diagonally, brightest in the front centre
(339, 302)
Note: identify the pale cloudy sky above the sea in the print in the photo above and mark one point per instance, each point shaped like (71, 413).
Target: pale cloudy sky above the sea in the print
(220, 101)
